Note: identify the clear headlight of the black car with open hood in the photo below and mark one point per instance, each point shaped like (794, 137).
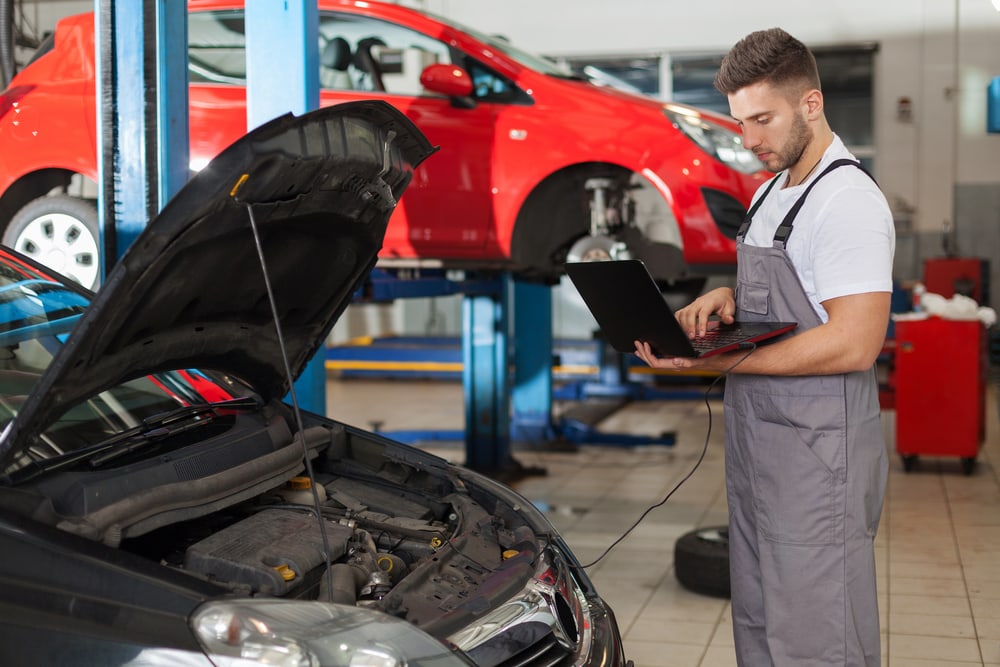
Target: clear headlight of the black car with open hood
(286, 633)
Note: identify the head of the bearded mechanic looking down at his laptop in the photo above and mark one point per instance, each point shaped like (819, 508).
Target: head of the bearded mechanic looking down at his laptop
(772, 84)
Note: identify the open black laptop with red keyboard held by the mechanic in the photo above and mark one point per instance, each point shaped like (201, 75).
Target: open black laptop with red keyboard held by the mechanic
(628, 306)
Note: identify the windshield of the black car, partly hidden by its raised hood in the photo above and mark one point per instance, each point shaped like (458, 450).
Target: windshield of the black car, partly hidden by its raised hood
(37, 315)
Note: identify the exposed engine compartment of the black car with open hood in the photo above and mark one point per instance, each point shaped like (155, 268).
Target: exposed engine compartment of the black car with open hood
(403, 539)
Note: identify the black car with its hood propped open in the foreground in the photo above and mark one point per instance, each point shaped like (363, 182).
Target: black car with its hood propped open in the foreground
(162, 502)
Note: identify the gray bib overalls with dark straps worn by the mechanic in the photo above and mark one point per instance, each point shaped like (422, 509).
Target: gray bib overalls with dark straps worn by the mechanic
(805, 476)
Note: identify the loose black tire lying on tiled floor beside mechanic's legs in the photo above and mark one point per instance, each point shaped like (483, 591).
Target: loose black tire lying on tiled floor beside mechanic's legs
(701, 561)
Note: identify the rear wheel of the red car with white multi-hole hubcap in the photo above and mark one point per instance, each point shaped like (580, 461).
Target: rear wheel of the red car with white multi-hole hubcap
(61, 232)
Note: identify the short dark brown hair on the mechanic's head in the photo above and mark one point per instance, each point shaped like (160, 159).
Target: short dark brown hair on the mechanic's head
(771, 56)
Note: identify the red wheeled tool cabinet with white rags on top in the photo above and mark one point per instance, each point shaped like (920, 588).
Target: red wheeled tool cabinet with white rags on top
(940, 389)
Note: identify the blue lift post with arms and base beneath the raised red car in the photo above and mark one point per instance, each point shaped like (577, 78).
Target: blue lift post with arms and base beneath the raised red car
(507, 323)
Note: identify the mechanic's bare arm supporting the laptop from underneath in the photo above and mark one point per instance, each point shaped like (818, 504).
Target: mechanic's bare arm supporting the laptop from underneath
(850, 341)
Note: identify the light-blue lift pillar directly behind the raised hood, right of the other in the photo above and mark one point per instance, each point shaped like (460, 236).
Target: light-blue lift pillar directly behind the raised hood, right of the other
(282, 53)
